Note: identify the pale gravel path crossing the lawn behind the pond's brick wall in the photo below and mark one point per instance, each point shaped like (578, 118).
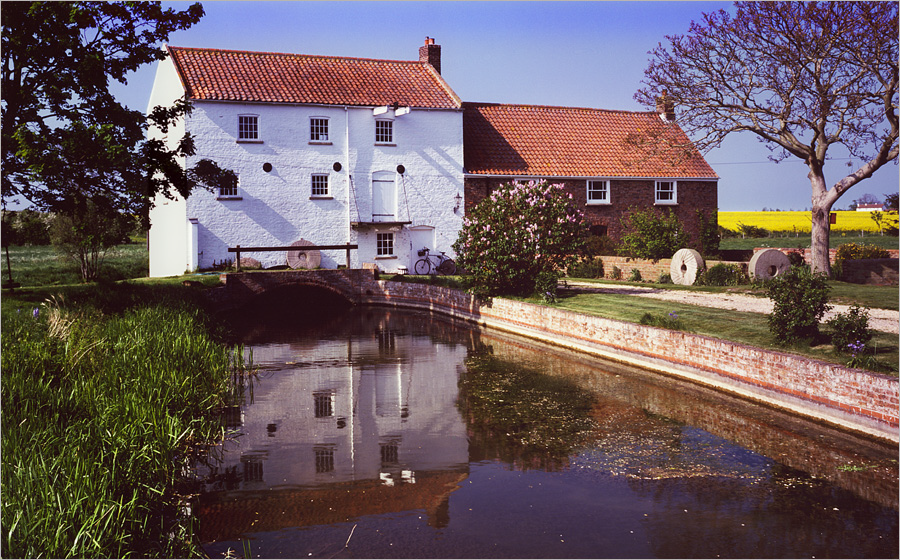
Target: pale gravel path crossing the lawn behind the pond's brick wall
(879, 319)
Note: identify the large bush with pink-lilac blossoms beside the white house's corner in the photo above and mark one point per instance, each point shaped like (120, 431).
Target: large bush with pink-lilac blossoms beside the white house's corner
(520, 239)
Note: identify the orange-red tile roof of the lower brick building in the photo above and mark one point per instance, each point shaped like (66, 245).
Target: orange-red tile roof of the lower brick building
(575, 142)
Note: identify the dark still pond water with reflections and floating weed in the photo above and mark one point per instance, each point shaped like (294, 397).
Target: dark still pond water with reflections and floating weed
(396, 434)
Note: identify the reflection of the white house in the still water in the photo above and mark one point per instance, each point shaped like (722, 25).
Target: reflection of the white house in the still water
(335, 417)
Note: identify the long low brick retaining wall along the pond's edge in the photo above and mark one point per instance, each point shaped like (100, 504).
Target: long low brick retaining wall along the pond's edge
(861, 401)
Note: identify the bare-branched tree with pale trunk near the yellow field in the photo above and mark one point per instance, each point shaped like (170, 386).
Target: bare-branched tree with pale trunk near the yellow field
(802, 76)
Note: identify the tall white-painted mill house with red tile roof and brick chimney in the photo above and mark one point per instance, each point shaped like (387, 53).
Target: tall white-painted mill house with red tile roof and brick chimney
(329, 150)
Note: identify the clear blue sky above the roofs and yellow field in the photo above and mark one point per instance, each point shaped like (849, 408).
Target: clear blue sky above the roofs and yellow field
(584, 54)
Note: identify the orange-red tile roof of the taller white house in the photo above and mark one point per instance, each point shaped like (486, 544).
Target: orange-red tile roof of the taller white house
(224, 75)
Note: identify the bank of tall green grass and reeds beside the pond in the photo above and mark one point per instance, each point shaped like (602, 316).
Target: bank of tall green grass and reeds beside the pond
(104, 389)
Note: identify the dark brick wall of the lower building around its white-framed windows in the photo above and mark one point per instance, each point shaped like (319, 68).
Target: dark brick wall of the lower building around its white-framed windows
(624, 195)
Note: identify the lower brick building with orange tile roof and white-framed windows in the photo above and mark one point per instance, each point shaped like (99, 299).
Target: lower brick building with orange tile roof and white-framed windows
(610, 161)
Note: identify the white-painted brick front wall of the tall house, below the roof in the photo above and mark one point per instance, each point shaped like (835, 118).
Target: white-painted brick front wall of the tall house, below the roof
(276, 208)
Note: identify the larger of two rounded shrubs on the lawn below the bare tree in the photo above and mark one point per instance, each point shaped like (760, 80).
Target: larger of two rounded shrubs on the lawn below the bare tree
(801, 298)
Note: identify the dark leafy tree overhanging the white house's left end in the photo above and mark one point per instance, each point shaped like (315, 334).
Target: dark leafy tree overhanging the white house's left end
(65, 138)
